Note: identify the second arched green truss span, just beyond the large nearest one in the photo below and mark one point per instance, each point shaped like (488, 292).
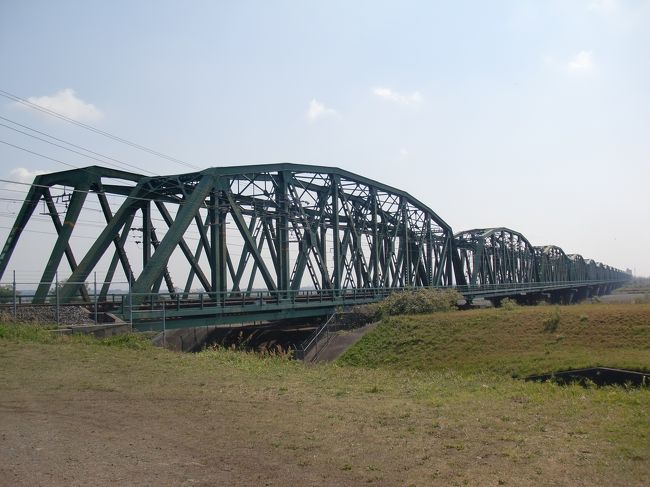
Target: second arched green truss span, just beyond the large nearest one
(495, 256)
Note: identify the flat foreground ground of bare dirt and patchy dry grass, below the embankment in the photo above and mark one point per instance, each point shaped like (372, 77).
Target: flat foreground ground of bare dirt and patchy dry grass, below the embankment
(89, 415)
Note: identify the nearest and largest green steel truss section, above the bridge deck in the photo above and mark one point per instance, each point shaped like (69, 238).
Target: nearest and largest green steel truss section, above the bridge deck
(274, 228)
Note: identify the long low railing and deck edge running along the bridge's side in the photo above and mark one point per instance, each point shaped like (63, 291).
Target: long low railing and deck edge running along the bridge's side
(16, 299)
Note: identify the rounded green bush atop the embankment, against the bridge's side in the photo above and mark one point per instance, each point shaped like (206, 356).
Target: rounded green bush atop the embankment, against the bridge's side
(418, 301)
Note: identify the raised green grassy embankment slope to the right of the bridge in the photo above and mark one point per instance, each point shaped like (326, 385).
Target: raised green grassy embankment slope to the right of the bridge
(516, 341)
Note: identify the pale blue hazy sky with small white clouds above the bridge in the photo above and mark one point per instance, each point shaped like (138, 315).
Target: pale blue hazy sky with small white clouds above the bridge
(528, 114)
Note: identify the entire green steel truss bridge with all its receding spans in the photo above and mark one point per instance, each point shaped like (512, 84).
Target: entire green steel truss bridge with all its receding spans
(269, 242)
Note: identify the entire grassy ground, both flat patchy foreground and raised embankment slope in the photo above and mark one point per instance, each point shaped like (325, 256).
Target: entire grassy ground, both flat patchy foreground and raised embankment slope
(76, 411)
